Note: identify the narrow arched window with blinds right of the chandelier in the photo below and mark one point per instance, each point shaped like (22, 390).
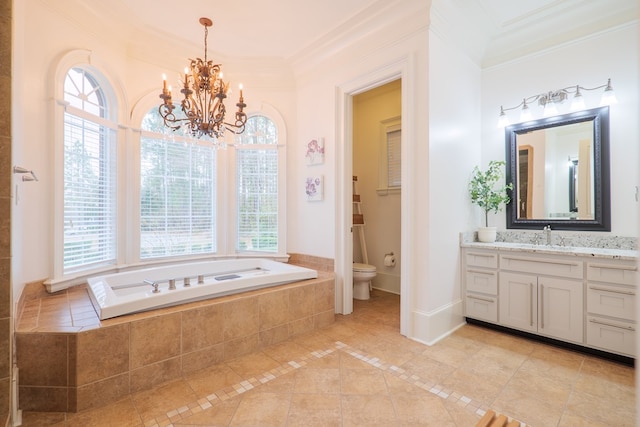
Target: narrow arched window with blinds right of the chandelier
(257, 186)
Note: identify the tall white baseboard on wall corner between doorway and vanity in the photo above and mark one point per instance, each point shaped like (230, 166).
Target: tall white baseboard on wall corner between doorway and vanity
(430, 327)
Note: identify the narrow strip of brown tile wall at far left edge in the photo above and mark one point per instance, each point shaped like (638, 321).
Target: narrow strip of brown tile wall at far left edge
(5, 209)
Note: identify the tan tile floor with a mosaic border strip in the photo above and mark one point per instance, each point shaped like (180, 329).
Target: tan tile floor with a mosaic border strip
(361, 371)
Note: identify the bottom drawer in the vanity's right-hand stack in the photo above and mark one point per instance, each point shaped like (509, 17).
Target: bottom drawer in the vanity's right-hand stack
(611, 335)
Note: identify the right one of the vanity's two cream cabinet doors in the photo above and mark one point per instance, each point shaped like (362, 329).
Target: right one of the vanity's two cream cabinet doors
(560, 304)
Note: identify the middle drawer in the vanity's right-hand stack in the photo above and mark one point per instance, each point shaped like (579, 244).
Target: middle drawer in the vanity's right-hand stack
(614, 301)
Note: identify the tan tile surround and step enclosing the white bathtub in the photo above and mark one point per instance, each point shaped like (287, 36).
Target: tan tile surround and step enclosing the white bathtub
(70, 361)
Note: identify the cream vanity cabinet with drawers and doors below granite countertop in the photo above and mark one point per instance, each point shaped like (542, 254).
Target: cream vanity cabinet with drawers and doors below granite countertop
(578, 299)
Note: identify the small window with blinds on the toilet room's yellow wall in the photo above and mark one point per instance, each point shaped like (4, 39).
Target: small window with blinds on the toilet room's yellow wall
(390, 179)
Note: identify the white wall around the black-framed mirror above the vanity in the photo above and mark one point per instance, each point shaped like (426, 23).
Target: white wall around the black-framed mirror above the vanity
(587, 62)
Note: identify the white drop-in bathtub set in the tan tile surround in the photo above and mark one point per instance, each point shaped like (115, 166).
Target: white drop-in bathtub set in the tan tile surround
(150, 288)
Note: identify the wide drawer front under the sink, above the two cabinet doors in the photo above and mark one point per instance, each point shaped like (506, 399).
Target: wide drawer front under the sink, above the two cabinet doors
(547, 266)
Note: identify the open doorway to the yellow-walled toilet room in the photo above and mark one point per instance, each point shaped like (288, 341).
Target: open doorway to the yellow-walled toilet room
(377, 184)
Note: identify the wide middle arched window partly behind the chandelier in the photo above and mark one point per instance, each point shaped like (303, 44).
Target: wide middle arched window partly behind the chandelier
(177, 192)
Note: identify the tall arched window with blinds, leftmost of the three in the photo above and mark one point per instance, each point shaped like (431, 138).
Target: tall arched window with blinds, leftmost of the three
(89, 235)
